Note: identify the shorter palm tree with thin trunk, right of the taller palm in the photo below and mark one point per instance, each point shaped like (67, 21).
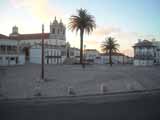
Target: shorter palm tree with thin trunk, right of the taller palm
(110, 46)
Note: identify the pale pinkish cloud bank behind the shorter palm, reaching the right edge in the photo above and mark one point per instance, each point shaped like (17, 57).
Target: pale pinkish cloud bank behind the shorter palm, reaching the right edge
(125, 39)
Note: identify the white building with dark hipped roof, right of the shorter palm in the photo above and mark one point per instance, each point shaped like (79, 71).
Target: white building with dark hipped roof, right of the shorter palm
(144, 53)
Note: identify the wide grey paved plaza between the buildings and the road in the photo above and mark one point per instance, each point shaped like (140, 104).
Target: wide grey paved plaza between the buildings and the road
(24, 81)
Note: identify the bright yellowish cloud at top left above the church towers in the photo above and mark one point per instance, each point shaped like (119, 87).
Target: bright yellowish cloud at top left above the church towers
(38, 8)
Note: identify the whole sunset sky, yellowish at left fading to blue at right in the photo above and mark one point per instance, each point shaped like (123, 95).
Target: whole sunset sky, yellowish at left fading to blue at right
(125, 20)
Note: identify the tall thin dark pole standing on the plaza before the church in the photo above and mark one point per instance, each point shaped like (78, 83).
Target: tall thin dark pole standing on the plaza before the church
(42, 74)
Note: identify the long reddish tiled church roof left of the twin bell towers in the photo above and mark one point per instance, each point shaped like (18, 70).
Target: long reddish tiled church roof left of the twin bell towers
(29, 36)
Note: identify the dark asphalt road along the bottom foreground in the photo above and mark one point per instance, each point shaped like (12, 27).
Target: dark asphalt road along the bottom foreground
(131, 106)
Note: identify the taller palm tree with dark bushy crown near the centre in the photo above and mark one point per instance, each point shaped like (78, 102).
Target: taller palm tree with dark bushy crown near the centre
(83, 22)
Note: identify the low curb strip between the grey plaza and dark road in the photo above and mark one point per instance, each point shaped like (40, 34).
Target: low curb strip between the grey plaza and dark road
(85, 98)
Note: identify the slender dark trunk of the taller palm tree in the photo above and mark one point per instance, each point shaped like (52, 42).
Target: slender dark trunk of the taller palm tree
(81, 46)
